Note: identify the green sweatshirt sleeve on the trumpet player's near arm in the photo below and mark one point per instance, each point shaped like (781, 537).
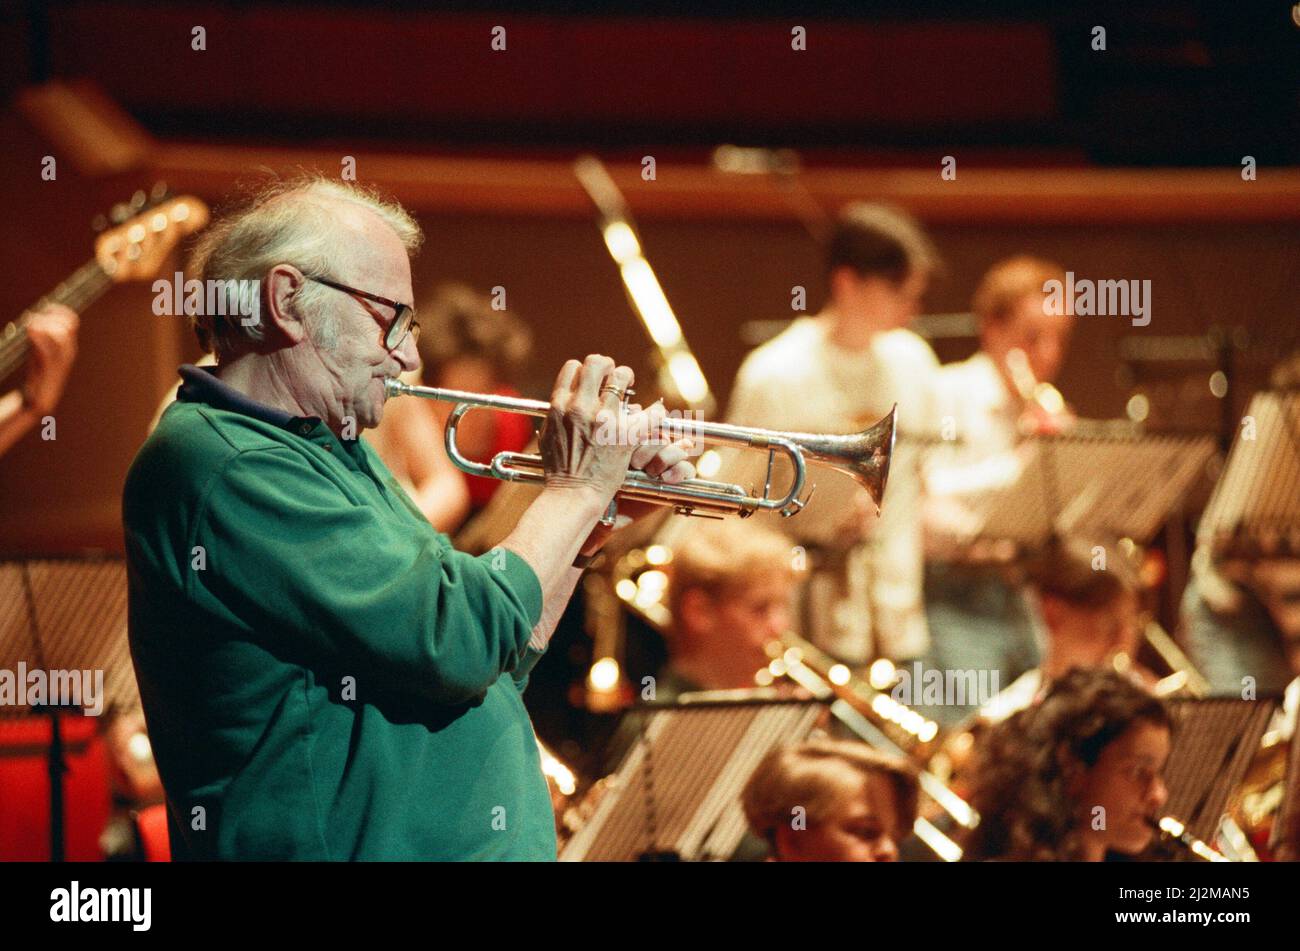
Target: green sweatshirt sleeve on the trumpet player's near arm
(288, 552)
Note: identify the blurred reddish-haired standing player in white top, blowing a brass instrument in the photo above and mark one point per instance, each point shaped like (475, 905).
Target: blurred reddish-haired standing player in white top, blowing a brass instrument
(978, 619)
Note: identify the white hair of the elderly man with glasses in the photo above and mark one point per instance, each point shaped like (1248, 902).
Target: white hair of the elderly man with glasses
(292, 222)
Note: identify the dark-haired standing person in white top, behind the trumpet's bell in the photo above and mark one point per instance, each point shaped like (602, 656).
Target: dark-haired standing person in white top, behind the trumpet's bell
(839, 372)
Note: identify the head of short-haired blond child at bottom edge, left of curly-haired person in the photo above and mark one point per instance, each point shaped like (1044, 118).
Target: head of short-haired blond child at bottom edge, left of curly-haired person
(831, 801)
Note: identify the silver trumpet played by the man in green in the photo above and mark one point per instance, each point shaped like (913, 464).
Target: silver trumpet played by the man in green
(864, 457)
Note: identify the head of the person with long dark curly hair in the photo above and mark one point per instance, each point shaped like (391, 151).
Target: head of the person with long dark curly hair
(1076, 776)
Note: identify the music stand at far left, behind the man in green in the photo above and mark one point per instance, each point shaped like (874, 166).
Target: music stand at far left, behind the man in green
(66, 614)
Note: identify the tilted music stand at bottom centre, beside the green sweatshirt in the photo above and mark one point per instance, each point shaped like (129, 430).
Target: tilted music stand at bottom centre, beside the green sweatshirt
(677, 794)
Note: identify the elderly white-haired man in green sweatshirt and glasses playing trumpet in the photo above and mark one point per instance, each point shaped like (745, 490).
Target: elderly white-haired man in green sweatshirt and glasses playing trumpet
(324, 678)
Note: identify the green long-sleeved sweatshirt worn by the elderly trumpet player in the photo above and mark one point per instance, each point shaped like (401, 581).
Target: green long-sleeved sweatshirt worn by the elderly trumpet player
(324, 678)
